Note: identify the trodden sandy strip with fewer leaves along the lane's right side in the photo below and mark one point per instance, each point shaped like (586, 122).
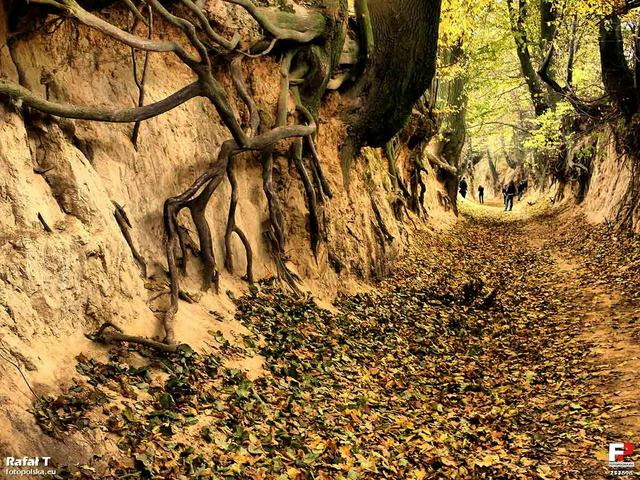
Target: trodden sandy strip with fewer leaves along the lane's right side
(610, 317)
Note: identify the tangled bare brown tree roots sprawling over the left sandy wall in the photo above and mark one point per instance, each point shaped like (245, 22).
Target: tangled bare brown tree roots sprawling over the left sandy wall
(301, 26)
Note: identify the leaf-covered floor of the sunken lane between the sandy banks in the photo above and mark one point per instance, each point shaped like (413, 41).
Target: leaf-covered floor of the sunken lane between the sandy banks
(506, 348)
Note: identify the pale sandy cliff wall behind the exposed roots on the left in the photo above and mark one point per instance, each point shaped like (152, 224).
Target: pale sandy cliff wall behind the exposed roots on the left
(56, 286)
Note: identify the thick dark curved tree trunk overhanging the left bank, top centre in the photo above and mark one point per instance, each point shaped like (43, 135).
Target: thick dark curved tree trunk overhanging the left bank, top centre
(398, 70)
